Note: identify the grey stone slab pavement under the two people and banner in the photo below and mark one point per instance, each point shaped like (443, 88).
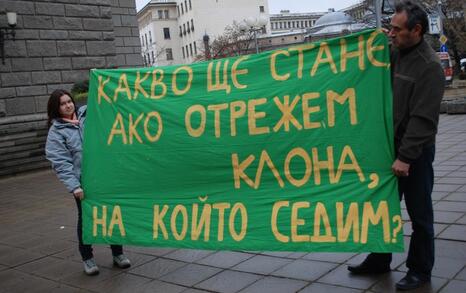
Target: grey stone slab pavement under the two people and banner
(38, 250)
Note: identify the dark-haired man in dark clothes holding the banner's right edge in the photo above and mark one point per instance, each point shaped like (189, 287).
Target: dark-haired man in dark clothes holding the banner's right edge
(417, 79)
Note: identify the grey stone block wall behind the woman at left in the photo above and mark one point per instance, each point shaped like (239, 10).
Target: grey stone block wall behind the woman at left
(56, 44)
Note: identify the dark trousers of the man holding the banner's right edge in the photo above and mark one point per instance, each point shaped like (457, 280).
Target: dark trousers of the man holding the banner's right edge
(417, 192)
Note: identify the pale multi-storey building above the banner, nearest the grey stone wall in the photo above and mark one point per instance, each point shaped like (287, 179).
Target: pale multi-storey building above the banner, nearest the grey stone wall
(172, 31)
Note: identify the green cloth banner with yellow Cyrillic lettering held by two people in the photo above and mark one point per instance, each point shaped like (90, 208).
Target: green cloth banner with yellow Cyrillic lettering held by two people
(285, 150)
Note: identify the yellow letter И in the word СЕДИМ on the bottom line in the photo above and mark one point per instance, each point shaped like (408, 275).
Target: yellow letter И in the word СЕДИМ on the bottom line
(352, 222)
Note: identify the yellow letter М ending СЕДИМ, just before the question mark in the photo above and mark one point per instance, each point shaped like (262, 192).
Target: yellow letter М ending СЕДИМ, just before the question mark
(381, 214)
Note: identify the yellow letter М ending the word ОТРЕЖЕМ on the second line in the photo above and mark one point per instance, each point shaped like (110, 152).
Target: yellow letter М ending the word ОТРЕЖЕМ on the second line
(348, 95)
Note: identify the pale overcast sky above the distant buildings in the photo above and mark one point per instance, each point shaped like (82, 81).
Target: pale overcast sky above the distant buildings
(293, 5)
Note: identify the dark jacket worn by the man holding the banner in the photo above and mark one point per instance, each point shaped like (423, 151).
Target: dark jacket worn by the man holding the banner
(418, 85)
